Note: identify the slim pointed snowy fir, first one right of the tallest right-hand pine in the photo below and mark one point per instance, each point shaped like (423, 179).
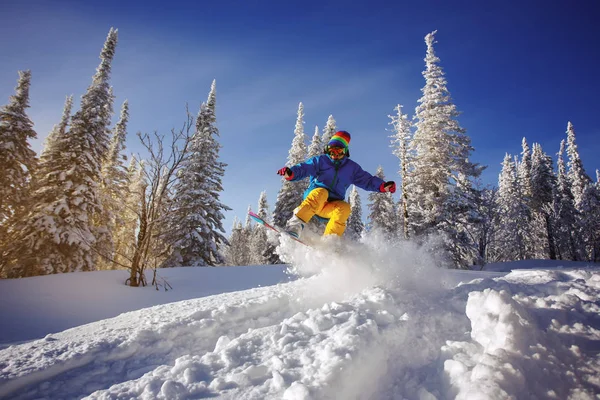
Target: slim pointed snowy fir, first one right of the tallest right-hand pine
(511, 213)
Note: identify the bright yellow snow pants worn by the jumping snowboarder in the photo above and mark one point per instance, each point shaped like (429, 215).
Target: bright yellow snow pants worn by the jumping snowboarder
(316, 203)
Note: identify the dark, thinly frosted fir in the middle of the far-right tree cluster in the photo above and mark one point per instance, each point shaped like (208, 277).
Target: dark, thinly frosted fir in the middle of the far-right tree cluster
(543, 187)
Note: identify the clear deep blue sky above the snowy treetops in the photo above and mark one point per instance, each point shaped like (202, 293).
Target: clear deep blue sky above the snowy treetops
(520, 68)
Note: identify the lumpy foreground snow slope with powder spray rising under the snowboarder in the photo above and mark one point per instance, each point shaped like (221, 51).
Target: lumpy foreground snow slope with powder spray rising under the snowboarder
(369, 323)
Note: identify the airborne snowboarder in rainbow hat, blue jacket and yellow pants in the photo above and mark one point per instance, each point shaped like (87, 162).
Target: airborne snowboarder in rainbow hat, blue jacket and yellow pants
(330, 175)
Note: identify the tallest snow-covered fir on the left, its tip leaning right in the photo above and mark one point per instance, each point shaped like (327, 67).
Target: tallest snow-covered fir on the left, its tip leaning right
(57, 234)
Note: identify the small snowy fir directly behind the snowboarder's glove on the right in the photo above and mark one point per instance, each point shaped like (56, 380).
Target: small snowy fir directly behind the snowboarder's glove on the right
(382, 211)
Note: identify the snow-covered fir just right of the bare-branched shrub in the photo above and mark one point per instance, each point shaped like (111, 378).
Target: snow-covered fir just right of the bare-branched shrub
(197, 211)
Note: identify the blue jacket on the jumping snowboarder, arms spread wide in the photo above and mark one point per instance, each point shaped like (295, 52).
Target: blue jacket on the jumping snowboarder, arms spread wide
(335, 176)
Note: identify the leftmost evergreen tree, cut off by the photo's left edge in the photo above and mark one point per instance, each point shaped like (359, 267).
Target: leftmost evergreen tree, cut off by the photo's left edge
(17, 158)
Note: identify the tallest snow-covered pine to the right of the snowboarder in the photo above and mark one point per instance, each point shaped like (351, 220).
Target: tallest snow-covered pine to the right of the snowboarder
(440, 150)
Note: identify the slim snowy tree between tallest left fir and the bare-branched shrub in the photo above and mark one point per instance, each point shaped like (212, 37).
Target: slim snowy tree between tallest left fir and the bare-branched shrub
(113, 189)
